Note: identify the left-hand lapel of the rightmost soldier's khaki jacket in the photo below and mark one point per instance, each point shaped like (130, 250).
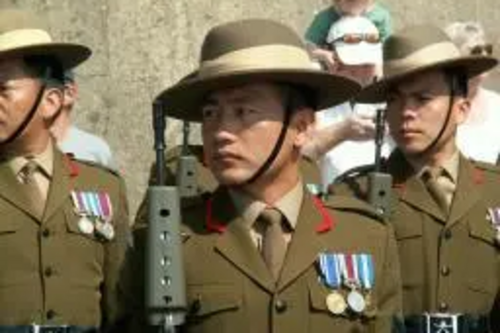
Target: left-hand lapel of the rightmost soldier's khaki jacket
(411, 188)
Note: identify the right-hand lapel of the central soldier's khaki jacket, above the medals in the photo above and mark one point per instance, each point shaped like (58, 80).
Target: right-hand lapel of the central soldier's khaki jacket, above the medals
(305, 245)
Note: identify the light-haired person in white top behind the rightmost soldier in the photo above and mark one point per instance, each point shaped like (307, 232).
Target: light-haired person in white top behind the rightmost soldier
(479, 136)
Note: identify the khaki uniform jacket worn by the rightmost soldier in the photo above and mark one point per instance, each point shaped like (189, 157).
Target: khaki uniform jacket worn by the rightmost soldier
(449, 264)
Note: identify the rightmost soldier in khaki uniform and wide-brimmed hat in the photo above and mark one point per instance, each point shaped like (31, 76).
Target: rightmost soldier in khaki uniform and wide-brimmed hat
(445, 207)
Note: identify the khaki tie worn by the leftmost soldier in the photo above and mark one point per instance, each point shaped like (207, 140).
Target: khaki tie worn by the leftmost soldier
(31, 187)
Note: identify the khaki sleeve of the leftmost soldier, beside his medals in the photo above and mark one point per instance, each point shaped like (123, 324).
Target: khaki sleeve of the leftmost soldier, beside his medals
(113, 289)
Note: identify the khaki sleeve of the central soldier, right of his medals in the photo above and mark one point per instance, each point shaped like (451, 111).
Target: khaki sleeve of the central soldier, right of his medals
(390, 314)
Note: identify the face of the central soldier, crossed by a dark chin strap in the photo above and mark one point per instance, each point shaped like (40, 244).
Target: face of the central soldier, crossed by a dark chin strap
(240, 128)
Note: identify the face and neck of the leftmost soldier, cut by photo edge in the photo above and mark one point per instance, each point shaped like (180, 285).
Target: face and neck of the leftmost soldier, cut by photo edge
(18, 92)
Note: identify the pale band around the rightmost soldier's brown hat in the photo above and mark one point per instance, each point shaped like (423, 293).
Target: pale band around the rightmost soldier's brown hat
(424, 57)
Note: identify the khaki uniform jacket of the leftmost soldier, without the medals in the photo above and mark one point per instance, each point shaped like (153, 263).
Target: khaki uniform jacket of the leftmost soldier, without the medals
(51, 272)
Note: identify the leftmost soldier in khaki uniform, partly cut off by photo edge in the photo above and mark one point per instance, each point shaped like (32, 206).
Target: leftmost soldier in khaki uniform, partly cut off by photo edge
(63, 223)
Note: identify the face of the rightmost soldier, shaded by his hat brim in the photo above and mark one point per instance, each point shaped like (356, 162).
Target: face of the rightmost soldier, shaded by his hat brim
(417, 110)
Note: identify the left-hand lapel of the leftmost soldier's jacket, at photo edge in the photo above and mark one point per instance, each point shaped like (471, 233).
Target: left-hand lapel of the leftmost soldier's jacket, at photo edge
(11, 191)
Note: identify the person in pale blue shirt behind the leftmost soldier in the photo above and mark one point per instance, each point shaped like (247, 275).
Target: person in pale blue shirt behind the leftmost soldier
(71, 139)
